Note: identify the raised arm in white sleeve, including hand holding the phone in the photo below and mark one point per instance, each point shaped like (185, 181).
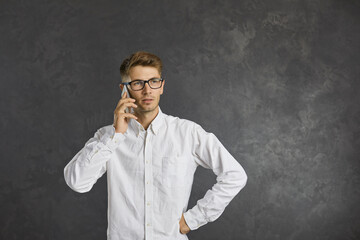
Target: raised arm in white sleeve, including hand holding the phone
(89, 164)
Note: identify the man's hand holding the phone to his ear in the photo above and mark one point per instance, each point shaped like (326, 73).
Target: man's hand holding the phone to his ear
(121, 118)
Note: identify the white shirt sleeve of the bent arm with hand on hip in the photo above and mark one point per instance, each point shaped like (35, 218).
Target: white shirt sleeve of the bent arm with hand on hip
(231, 178)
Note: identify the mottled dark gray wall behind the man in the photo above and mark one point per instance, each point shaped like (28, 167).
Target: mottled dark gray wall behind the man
(276, 81)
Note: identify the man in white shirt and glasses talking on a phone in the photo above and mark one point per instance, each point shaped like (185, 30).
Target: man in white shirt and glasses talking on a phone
(150, 159)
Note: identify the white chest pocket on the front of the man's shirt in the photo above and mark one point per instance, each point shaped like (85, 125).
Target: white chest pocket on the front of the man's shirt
(174, 171)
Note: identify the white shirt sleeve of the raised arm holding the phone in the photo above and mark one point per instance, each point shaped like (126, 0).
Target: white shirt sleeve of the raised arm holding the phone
(89, 164)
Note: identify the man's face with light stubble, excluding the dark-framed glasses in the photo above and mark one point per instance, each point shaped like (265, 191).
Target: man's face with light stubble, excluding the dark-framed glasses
(147, 99)
